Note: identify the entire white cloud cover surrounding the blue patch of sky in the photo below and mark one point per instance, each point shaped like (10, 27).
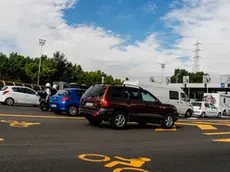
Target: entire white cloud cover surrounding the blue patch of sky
(23, 22)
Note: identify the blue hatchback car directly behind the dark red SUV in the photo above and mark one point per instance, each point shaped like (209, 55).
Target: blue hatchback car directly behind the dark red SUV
(66, 100)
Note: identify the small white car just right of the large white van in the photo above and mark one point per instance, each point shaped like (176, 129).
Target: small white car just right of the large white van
(204, 109)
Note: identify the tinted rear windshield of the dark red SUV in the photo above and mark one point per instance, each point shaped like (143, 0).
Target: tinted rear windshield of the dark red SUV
(95, 91)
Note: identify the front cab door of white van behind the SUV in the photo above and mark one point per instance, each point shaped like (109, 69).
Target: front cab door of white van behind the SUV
(174, 99)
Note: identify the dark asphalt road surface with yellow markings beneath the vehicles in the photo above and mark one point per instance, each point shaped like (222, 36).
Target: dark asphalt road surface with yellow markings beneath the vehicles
(31, 140)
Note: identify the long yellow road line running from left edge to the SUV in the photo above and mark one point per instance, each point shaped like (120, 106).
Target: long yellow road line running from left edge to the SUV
(38, 116)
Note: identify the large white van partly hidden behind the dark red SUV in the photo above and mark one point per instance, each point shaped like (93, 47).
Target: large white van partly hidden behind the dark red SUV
(168, 95)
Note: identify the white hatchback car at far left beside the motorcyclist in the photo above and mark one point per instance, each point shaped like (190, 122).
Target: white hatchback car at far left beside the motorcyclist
(11, 95)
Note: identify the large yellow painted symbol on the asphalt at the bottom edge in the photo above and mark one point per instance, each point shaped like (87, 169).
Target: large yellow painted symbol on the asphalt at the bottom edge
(131, 164)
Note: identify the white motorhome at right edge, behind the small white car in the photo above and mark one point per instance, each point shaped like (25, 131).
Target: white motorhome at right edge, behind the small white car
(220, 100)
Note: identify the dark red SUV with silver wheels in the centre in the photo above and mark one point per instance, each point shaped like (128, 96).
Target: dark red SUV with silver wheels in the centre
(119, 104)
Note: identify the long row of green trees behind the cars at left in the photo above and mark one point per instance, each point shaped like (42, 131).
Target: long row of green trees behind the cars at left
(16, 67)
